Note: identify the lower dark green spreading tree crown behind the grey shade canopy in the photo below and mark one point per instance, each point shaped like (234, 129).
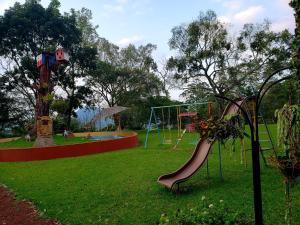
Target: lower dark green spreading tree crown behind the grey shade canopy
(122, 86)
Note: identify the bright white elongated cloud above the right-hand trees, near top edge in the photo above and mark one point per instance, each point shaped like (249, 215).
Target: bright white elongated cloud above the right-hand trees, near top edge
(249, 15)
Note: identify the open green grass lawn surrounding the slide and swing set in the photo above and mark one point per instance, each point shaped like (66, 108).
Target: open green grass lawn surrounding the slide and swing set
(121, 188)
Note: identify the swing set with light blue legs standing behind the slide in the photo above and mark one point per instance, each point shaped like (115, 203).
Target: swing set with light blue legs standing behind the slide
(165, 122)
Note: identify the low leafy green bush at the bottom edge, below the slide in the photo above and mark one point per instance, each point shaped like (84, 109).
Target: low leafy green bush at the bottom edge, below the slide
(206, 214)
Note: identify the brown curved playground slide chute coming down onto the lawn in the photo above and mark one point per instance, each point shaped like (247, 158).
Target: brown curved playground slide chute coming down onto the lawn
(198, 158)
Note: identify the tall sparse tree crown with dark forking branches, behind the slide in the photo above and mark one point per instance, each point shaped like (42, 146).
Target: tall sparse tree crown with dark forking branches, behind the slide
(203, 56)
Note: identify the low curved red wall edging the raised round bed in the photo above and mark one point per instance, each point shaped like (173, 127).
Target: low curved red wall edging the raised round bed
(63, 151)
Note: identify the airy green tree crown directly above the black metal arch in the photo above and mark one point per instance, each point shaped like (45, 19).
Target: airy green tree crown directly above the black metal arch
(262, 52)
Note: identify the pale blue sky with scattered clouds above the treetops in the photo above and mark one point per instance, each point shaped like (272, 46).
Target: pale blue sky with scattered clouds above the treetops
(150, 21)
